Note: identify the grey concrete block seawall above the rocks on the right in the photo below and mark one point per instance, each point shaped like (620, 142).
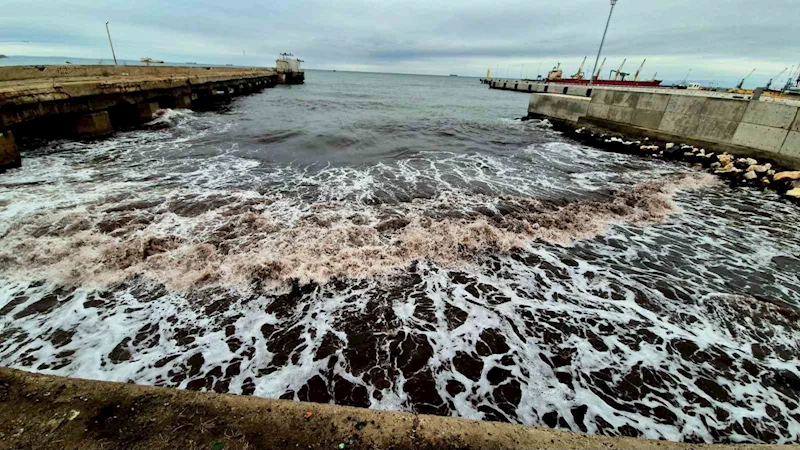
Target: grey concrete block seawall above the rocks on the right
(742, 127)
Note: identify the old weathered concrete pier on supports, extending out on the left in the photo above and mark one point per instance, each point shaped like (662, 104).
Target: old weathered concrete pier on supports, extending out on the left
(92, 101)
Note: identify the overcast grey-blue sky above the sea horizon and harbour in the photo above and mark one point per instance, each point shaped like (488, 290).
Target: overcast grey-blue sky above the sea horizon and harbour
(718, 40)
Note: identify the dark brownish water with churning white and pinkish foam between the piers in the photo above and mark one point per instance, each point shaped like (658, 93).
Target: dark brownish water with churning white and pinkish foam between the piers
(402, 242)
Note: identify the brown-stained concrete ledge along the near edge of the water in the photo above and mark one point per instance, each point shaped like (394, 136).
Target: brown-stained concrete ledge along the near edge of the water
(46, 412)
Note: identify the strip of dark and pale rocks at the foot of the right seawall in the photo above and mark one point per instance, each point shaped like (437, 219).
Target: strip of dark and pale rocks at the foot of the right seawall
(737, 170)
